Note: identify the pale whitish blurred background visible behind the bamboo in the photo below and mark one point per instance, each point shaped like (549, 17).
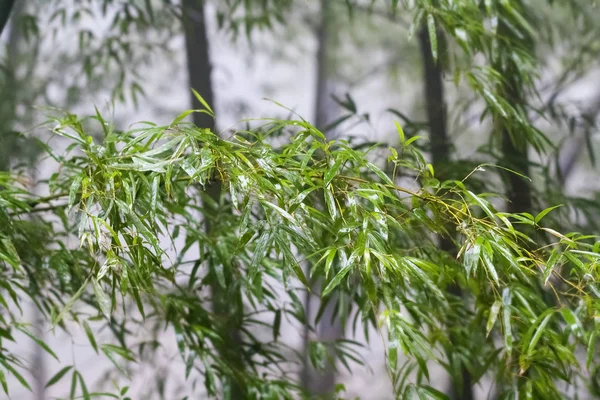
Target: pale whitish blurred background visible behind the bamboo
(351, 71)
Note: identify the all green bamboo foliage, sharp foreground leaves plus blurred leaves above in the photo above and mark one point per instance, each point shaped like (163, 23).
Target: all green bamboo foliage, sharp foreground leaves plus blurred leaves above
(132, 201)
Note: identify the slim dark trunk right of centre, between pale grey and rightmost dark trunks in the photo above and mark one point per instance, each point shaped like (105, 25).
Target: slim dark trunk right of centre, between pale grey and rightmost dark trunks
(435, 105)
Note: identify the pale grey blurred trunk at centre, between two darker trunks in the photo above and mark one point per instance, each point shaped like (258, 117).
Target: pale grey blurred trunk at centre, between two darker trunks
(329, 328)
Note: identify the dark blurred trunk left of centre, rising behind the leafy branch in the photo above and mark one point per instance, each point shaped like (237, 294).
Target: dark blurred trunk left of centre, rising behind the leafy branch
(199, 70)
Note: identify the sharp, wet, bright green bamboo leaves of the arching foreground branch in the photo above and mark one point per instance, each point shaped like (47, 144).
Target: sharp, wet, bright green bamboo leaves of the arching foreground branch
(531, 308)
